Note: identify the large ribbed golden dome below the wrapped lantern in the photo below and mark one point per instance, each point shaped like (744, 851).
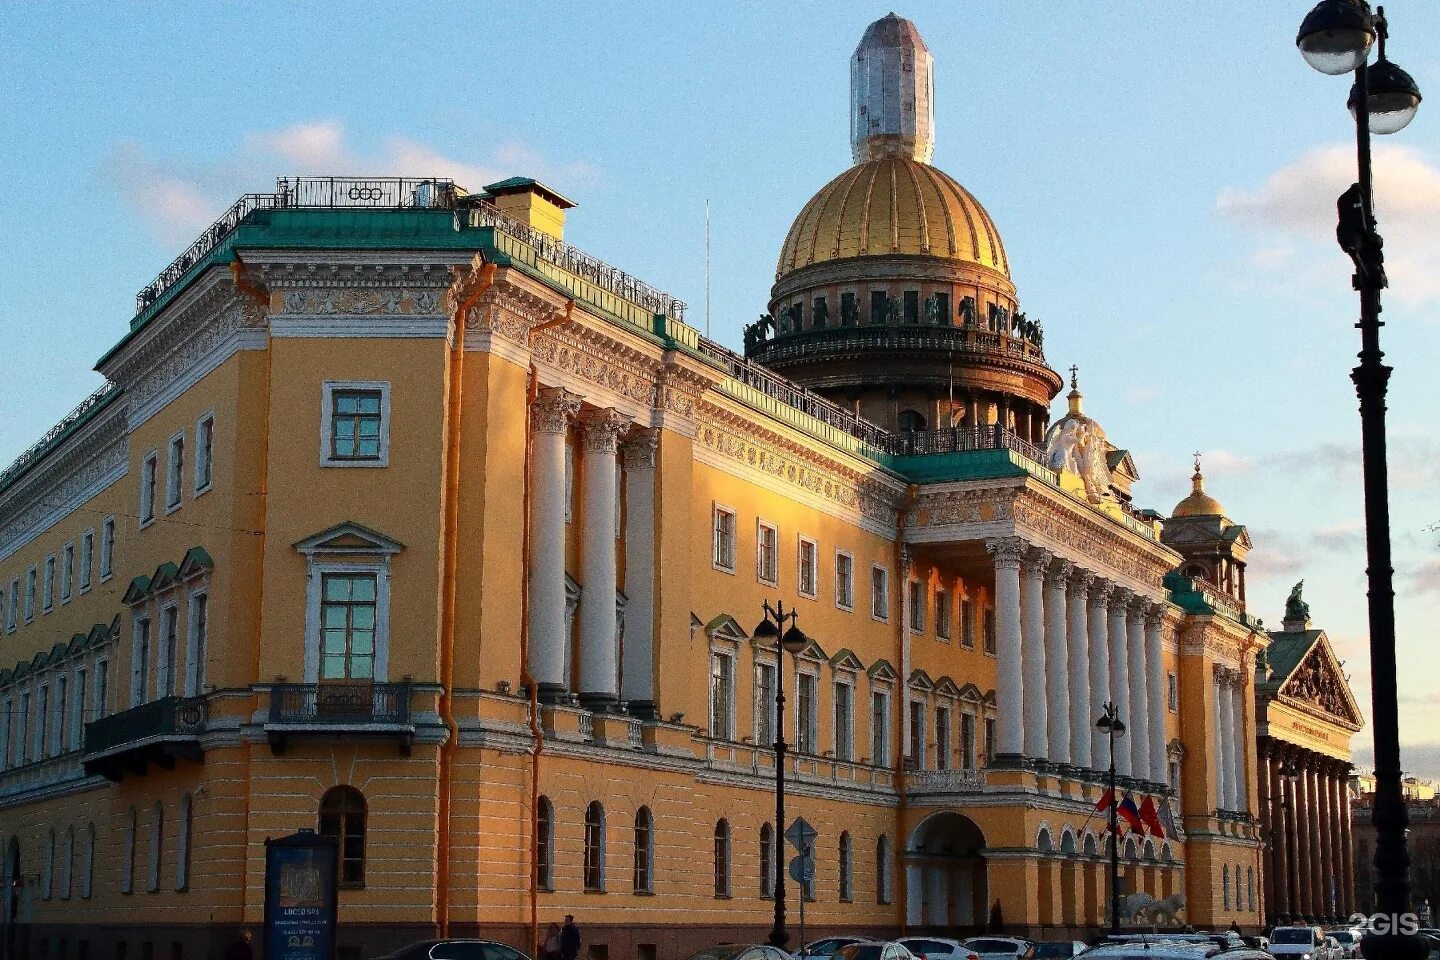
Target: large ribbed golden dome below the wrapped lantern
(894, 205)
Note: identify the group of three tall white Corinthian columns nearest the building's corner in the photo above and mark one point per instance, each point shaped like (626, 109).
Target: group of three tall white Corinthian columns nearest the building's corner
(604, 669)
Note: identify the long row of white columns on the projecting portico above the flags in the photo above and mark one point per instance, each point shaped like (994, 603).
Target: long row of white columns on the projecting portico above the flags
(1068, 641)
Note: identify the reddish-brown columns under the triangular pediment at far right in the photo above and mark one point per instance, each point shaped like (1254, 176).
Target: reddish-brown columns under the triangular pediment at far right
(1307, 821)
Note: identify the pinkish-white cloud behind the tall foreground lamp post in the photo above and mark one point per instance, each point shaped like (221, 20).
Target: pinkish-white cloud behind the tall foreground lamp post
(1298, 204)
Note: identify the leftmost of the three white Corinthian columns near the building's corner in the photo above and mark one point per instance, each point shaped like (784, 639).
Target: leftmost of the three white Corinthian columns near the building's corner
(549, 421)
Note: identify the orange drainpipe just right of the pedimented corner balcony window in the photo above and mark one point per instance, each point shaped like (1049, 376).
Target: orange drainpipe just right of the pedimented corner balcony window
(449, 584)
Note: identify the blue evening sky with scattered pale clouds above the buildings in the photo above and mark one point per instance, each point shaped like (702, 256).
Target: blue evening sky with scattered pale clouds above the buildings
(1164, 178)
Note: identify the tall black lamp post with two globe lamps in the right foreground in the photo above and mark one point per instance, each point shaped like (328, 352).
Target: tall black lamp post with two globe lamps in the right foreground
(1336, 40)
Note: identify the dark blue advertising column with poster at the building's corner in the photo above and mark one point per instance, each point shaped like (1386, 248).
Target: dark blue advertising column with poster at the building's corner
(300, 897)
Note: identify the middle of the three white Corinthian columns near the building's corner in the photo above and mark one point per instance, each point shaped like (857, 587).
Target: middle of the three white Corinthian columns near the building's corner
(600, 664)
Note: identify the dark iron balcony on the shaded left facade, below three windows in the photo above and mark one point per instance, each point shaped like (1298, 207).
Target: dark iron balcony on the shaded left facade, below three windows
(158, 733)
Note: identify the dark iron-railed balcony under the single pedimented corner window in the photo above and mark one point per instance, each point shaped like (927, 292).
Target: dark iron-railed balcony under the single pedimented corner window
(341, 709)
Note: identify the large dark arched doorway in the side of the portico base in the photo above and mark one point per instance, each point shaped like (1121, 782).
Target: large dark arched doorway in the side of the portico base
(945, 873)
